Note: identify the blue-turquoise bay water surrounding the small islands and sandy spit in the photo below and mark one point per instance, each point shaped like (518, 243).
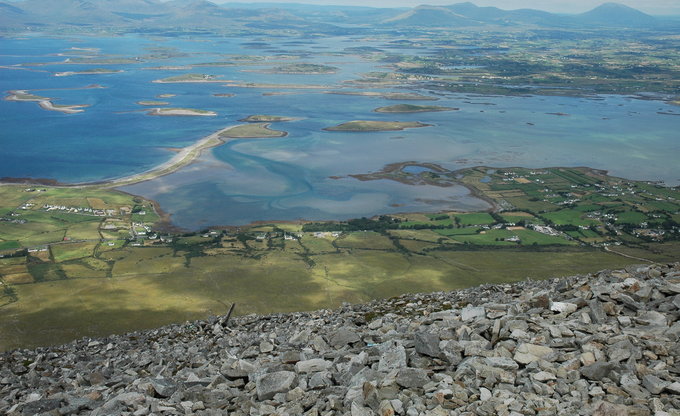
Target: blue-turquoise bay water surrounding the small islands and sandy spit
(289, 178)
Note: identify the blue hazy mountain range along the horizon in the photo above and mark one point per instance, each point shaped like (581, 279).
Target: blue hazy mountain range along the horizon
(204, 14)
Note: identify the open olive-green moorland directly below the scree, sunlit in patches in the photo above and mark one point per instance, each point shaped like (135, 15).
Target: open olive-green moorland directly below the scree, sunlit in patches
(150, 287)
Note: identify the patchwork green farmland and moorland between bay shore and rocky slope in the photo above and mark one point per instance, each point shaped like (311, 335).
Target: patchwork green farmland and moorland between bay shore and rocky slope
(87, 275)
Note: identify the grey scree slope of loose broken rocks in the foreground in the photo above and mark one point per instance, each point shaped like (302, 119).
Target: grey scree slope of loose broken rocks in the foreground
(602, 344)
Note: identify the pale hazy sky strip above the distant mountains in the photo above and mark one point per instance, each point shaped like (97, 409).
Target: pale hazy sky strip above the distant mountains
(559, 6)
